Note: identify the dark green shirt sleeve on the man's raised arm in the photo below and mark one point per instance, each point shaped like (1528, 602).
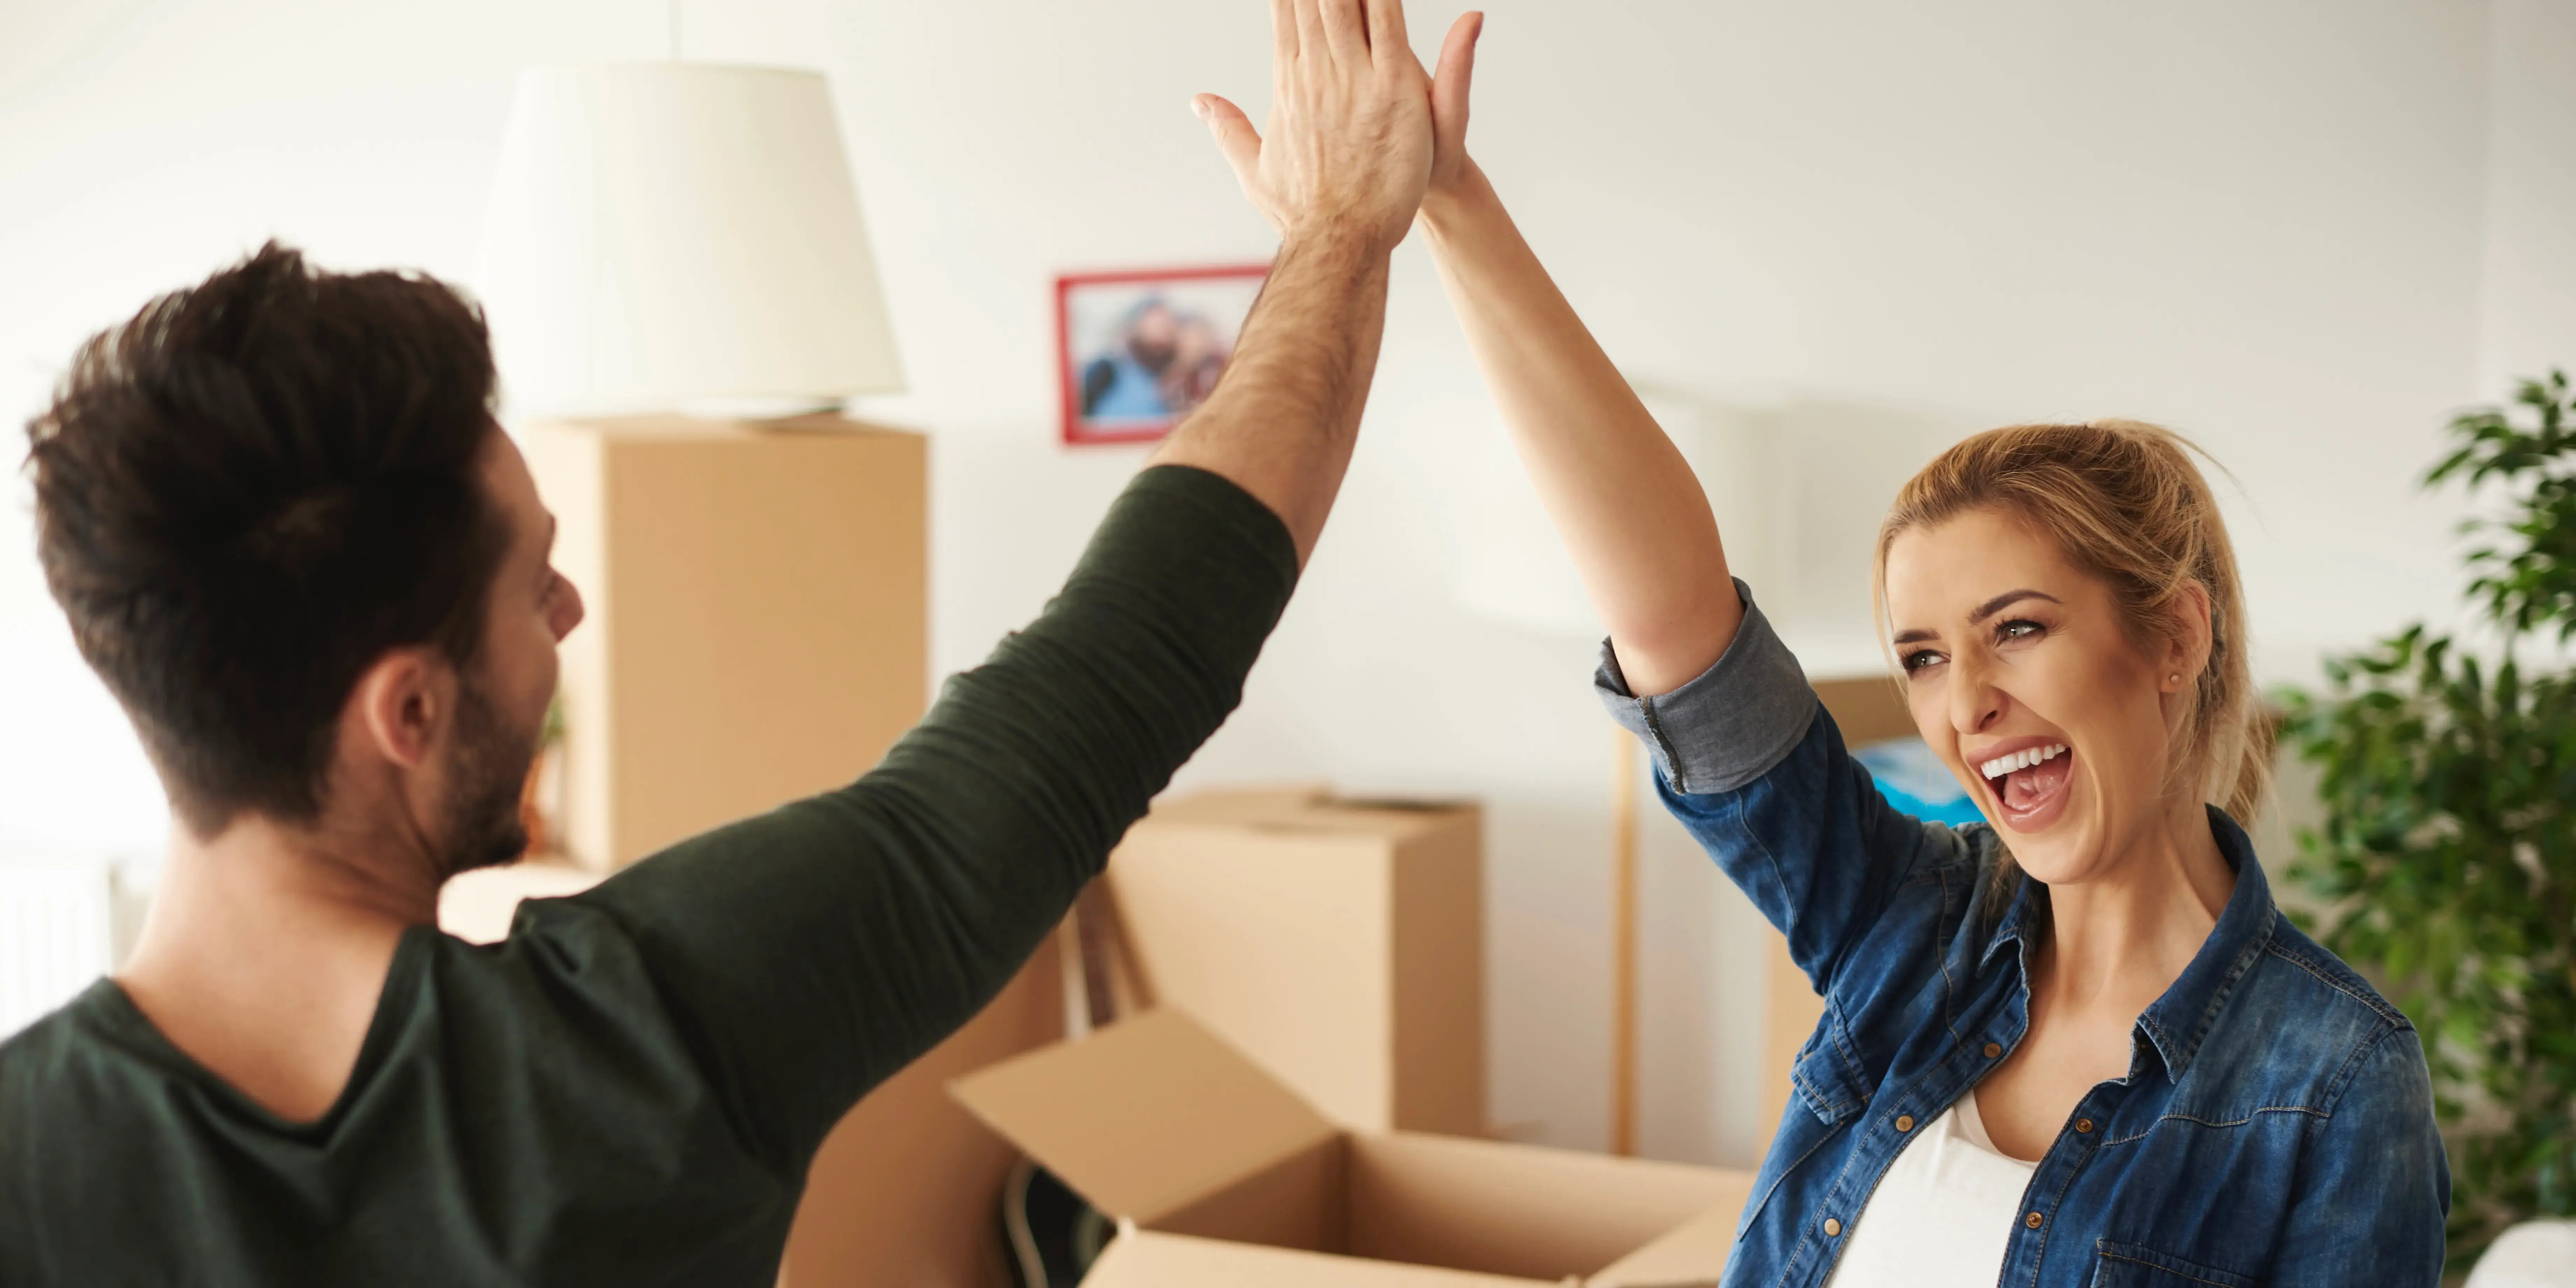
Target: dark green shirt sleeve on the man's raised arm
(813, 952)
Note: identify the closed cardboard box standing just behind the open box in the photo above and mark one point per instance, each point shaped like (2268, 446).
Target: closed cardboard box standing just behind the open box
(1336, 942)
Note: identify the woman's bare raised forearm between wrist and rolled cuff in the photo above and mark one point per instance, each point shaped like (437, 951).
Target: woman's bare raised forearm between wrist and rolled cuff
(1622, 493)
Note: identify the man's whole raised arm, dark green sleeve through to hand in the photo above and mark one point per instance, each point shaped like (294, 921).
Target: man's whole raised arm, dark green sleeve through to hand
(818, 949)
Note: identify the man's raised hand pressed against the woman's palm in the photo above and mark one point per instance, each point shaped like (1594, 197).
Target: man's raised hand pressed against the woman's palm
(1351, 125)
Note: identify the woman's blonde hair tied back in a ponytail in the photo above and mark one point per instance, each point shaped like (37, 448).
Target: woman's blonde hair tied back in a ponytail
(2129, 506)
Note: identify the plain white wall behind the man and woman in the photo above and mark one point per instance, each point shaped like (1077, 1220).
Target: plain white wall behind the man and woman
(2284, 228)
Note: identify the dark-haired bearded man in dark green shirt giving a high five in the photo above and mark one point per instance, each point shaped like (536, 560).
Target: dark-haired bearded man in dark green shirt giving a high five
(316, 573)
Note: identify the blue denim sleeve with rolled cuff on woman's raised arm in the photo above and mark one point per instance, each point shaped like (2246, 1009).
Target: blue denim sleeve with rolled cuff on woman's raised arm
(1756, 769)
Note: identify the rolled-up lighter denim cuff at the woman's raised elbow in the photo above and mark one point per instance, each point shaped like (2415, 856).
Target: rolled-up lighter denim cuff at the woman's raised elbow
(1732, 723)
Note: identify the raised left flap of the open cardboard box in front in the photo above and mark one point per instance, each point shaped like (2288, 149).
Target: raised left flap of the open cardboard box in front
(1145, 1117)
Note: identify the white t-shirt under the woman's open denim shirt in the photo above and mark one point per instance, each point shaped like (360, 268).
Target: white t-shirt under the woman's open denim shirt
(1944, 1215)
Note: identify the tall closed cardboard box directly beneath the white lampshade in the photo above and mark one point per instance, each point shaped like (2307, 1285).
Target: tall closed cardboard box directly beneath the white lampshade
(759, 617)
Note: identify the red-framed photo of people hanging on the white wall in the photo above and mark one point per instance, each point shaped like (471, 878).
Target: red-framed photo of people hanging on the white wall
(1140, 352)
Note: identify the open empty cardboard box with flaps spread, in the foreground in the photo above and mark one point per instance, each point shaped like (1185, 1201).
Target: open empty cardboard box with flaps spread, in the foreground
(1222, 1176)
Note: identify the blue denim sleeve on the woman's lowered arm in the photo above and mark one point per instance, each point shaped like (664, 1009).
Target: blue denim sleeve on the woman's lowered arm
(2374, 1186)
